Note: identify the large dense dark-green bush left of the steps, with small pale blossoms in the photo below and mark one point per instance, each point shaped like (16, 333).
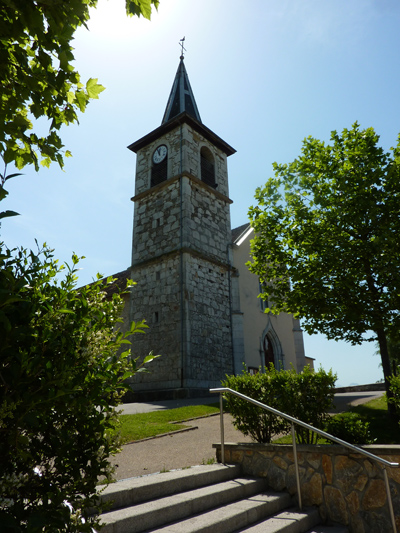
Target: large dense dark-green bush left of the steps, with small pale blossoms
(61, 377)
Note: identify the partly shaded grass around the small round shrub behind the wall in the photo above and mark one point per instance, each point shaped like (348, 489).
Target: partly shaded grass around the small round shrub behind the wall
(383, 430)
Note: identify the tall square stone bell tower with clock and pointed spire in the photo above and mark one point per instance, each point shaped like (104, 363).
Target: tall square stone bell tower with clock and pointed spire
(181, 254)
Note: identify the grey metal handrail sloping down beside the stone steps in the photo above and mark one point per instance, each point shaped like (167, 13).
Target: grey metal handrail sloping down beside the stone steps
(294, 421)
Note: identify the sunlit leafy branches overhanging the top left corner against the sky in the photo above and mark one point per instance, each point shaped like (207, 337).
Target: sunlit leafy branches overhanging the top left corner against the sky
(38, 78)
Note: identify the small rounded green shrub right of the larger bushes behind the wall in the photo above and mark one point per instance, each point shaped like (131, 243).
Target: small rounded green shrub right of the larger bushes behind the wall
(349, 427)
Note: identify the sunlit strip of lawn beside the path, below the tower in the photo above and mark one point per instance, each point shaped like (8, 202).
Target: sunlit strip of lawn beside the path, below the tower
(145, 425)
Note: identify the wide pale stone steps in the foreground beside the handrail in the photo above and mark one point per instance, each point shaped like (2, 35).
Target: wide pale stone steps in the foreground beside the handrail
(209, 498)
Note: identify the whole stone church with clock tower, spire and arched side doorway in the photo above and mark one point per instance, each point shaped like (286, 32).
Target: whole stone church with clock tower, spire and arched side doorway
(193, 288)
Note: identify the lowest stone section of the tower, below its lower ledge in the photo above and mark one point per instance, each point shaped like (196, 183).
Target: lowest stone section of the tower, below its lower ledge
(156, 298)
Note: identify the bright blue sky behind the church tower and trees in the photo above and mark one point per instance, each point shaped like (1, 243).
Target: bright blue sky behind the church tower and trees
(265, 74)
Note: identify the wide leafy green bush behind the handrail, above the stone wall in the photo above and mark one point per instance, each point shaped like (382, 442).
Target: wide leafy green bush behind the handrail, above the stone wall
(306, 396)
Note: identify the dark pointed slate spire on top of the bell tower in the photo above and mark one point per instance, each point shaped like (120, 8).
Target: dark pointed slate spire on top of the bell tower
(181, 98)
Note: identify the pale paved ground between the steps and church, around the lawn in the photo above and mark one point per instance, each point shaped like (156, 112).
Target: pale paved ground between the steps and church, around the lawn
(192, 447)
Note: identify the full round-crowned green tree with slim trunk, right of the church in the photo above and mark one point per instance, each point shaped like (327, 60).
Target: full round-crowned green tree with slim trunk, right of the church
(327, 229)
